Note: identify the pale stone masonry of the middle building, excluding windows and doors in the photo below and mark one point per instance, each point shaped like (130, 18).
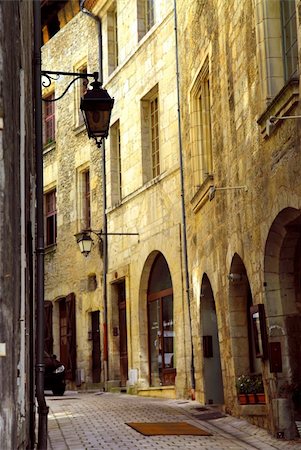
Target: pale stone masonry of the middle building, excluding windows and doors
(152, 209)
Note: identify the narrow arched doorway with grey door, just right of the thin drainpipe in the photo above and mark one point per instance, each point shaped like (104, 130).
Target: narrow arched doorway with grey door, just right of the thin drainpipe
(213, 382)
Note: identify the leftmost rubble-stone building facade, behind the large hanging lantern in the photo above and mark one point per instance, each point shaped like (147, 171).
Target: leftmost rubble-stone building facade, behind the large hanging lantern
(73, 200)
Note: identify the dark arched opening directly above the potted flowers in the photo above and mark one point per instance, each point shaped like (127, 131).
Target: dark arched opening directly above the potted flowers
(241, 327)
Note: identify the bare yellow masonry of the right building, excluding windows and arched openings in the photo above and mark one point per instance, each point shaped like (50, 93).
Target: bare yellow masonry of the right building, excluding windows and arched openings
(237, 221)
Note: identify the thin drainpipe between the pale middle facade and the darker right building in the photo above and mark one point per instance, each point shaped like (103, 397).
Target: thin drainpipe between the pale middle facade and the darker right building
(185, 252)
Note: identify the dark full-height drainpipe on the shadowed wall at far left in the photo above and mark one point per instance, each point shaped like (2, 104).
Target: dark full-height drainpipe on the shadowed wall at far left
(40, 365)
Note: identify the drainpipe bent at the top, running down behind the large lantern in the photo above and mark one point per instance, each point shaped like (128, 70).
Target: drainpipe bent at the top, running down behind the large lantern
(104, 199)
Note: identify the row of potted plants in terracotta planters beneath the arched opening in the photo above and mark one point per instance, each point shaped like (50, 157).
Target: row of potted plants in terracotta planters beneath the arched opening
(250, 389)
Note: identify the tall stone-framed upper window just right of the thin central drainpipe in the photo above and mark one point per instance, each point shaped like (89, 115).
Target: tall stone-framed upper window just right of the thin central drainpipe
(201, 127)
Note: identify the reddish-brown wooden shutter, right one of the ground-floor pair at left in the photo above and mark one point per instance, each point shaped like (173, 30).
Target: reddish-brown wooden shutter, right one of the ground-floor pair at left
(71, 337)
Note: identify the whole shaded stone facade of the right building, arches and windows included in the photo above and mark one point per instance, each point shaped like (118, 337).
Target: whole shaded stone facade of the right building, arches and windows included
(243, 199)
